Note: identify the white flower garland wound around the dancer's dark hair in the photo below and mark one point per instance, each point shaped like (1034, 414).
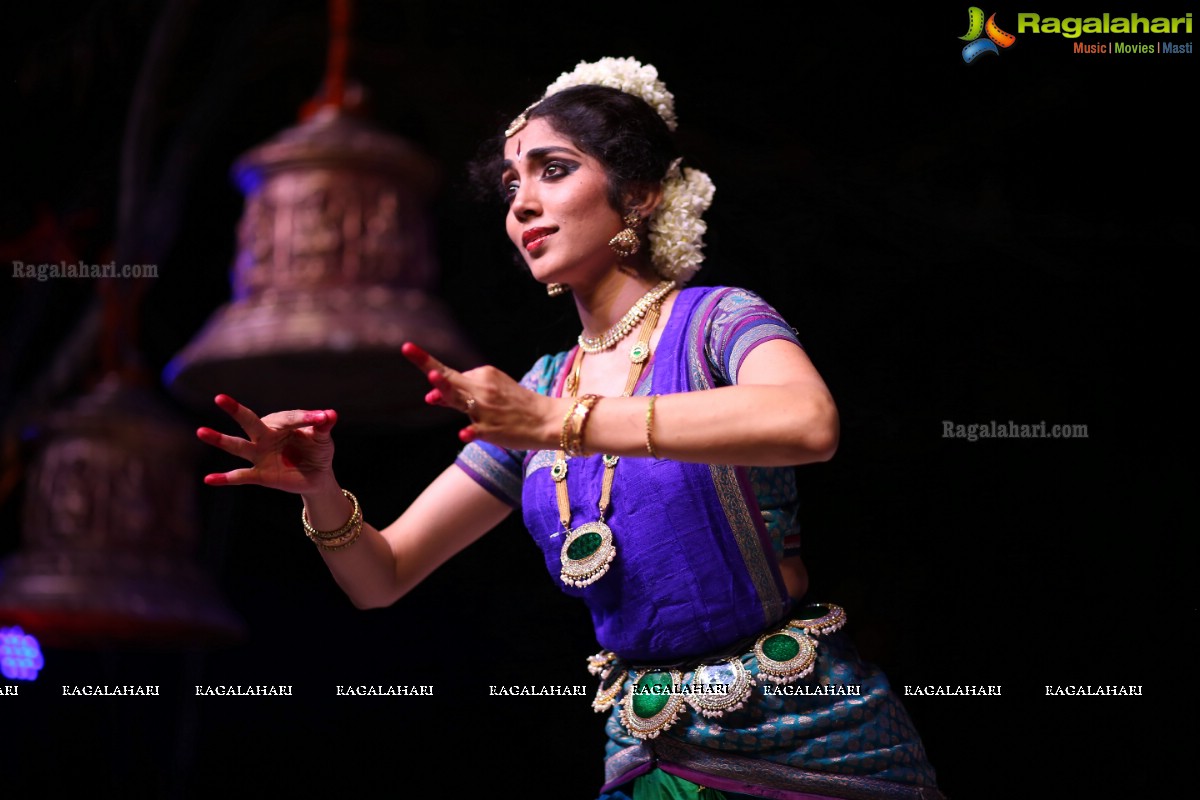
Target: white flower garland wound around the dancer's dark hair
(676, 228)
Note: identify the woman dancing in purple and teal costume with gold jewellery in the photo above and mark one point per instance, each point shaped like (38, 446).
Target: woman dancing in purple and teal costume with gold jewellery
(653, 465)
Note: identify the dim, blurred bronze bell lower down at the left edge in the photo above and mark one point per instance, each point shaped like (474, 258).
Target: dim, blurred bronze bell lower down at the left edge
(111, 531)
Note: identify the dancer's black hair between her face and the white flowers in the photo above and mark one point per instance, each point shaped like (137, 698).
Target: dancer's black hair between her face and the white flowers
(621, 131)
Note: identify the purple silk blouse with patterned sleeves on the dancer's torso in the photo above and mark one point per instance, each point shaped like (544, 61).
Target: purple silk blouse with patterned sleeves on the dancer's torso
(695, 569)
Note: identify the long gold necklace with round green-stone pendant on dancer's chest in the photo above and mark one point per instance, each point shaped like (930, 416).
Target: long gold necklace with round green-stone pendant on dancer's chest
(590, 550)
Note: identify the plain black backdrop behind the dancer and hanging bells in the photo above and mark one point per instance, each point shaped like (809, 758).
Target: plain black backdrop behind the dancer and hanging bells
(1004, 240)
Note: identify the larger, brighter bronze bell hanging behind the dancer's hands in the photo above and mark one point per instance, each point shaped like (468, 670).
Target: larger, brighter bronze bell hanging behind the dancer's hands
(333, 274)
